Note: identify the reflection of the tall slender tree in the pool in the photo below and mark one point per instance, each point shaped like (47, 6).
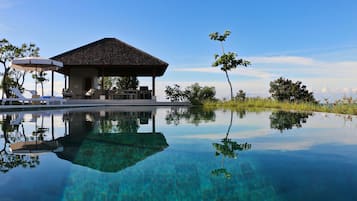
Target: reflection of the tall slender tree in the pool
(228, 149)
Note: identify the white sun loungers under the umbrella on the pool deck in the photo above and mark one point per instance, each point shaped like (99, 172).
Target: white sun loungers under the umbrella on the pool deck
(23, 99)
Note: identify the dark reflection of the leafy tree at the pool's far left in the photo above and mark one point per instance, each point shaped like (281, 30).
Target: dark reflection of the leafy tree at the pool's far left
(7, 159)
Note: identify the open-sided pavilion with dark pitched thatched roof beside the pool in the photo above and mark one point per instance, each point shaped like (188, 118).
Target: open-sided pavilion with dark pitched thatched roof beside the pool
(106, 58)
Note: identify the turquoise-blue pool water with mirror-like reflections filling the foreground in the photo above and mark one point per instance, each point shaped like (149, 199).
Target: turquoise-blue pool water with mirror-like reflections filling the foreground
(158, 154)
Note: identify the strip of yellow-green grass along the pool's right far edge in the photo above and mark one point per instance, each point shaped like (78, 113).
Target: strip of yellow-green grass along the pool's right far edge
(340, 107)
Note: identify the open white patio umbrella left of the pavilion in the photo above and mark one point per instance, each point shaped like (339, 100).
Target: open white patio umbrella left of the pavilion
(36, 64)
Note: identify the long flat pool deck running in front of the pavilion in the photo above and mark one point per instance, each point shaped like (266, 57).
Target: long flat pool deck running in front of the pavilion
(71, 103)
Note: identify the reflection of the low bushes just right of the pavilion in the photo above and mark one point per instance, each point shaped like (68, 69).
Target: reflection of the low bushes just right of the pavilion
(194, 115)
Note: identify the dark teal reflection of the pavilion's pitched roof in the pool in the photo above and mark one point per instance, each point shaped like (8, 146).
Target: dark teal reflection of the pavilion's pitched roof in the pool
(113, 152)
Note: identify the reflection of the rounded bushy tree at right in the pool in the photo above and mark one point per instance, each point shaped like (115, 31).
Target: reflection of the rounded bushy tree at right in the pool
(283, 120)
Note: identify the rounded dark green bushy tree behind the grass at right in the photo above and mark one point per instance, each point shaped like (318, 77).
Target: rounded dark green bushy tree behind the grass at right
(286, 90)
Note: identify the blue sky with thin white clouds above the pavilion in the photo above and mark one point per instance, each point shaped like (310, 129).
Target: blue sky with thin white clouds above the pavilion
(313, 41)
